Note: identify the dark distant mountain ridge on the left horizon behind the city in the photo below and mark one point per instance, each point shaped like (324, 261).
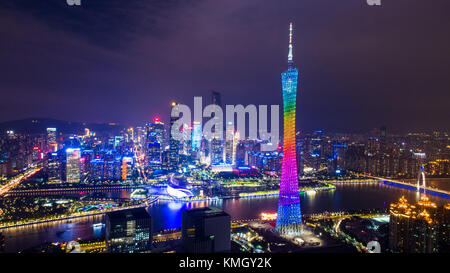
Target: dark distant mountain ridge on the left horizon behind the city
(40, 125)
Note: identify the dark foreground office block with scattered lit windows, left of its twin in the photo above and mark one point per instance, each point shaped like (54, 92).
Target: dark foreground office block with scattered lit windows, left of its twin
(129, 231)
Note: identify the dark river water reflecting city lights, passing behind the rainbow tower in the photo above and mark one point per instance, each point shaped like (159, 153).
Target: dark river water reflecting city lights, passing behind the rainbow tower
(167, 214)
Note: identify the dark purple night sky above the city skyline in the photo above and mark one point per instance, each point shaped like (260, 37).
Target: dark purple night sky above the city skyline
(125, 60)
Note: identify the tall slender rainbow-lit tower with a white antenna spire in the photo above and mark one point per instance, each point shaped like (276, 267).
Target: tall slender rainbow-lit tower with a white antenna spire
(289, 217)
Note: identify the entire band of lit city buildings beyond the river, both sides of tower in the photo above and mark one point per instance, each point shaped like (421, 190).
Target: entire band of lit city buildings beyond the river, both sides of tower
(127, 155)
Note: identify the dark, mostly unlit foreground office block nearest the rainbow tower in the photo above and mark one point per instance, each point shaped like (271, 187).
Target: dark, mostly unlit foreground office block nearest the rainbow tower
(206, 230)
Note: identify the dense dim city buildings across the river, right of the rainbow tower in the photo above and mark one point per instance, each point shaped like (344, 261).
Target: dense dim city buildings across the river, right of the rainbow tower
(377, 153)
